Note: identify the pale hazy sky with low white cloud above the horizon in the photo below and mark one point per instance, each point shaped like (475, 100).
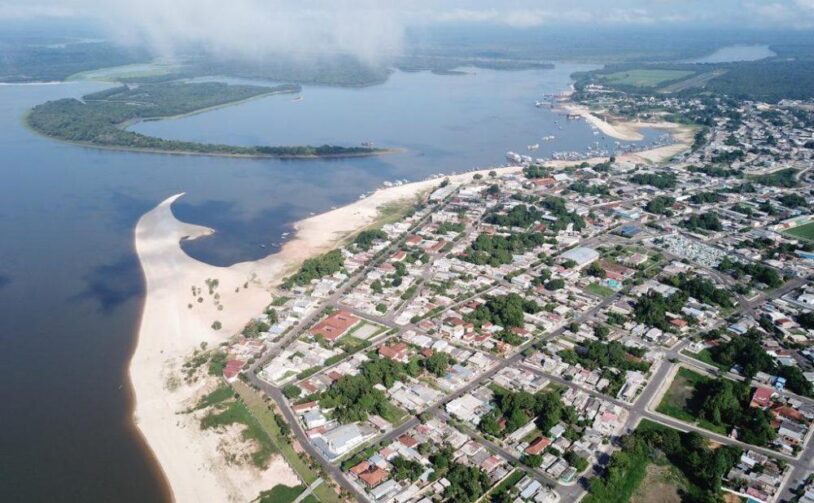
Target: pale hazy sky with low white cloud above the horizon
(373, 29)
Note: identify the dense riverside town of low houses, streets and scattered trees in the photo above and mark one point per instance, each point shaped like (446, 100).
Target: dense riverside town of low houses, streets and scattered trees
(542, 334)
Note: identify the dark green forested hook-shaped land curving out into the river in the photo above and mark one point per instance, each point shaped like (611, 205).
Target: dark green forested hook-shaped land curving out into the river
(101, 119)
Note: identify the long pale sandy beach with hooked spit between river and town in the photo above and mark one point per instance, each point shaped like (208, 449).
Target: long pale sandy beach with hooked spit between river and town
(171, 330)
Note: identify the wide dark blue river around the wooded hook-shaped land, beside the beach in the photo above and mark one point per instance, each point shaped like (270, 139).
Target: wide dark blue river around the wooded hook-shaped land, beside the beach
(70, 285)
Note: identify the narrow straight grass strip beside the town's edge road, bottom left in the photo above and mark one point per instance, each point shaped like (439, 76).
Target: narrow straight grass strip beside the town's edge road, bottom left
(265, 417)
